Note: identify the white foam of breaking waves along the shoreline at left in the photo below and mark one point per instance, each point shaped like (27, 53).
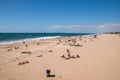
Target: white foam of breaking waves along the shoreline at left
(28, 39)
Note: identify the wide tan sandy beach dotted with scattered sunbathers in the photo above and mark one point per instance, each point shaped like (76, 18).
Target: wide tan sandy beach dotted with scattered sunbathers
(99, 59)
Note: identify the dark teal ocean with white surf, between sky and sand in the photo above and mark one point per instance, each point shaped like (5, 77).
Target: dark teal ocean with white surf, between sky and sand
(10, 38)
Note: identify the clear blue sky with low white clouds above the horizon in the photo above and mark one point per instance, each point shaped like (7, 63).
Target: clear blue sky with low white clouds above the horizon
(78, 16)
